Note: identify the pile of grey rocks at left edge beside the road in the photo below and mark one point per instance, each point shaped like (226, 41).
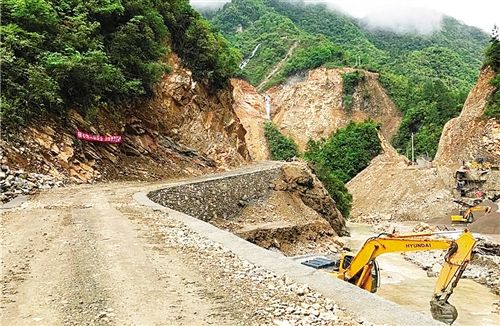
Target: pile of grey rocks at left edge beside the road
(18, 182)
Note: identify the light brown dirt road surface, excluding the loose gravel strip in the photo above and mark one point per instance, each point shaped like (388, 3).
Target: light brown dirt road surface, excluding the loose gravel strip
(88, 255)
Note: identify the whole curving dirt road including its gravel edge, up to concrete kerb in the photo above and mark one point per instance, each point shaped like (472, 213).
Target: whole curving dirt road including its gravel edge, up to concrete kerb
(92, 255)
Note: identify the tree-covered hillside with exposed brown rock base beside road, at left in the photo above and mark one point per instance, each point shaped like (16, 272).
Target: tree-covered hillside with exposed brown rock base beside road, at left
(154, 72)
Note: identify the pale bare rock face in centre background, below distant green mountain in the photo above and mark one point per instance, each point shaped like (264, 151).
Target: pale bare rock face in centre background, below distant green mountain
(311, 108)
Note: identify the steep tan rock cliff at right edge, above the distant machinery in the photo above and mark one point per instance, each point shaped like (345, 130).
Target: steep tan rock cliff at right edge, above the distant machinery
(471, 135)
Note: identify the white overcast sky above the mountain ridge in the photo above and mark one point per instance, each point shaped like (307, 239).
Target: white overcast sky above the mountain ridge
(480, 13)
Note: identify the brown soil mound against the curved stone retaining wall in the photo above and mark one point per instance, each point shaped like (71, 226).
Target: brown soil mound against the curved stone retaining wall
(296, 216)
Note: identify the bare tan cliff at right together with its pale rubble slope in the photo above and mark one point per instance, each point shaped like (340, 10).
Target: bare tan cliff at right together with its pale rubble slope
(390, 189)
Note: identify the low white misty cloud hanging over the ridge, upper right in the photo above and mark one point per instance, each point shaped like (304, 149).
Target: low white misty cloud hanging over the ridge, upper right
(402, 19)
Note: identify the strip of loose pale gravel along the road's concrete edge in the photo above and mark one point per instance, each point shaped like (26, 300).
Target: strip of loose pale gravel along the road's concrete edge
(263, 297)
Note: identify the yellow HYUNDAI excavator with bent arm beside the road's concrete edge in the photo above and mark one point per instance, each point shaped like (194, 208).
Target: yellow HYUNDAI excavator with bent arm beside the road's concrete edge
(362, 270)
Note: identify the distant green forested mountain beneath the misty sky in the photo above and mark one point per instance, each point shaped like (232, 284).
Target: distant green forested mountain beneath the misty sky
(428, 76)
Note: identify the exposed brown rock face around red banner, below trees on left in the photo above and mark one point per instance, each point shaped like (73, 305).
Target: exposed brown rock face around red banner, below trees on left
(184, 130)
